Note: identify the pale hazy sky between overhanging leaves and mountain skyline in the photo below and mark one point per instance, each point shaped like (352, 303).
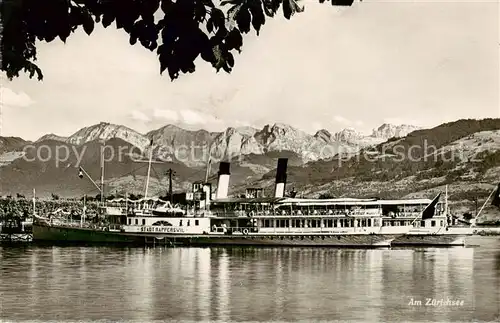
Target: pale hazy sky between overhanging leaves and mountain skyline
(422, 62)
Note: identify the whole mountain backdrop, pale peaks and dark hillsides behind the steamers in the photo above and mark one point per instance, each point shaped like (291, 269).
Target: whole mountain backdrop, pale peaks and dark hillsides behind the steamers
(345, 163)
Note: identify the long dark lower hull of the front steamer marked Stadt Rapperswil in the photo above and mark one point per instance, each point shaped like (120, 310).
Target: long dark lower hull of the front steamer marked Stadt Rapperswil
(74, 235)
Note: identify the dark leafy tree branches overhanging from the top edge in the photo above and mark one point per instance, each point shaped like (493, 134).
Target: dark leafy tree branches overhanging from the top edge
(186, 29)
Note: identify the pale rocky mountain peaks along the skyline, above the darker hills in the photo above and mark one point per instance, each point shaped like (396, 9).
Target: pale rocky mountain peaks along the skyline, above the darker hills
(235, 141)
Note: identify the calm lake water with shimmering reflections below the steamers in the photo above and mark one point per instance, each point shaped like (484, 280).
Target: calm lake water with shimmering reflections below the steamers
(250, 284)
